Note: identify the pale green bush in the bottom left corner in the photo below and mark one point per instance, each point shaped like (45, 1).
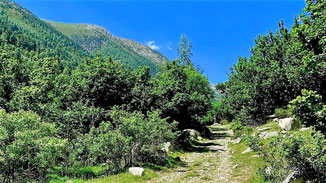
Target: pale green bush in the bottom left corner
(28, 148)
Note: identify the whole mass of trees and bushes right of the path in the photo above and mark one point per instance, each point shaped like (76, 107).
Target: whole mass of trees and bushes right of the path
(286, 73)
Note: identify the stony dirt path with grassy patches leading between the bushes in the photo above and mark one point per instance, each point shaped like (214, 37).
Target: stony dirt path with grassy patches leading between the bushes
(210, 162)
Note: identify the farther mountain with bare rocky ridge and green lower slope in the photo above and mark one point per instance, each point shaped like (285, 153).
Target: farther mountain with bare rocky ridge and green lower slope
(93, 38)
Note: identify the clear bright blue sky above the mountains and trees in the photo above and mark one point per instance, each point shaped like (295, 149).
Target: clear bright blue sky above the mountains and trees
(220, 30)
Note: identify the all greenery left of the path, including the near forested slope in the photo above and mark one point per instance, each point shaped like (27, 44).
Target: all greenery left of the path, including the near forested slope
(64, 113)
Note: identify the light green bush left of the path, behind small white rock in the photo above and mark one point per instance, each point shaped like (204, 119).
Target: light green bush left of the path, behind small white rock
(130, 139)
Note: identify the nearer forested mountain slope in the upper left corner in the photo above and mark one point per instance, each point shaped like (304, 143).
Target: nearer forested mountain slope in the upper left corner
(27, 36)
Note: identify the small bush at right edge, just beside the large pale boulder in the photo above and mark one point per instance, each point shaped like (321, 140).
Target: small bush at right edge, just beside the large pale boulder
(309, 110)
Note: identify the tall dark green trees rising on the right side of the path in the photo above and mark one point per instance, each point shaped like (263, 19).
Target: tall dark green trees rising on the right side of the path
(281, 65)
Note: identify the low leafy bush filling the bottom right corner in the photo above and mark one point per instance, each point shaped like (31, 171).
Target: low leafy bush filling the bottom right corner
(304, 152)
